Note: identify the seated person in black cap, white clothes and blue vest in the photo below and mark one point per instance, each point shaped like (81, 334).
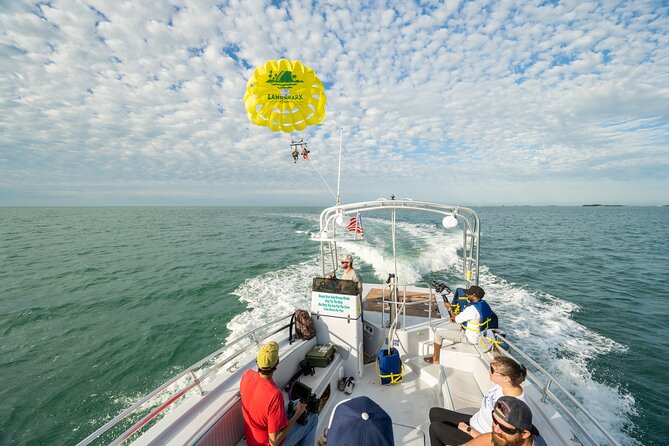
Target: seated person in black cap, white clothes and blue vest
(466, 326)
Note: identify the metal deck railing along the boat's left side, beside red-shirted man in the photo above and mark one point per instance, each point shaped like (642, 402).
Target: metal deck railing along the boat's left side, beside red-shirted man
(190, 381)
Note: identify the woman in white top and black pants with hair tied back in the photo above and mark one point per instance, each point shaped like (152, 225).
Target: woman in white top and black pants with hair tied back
(450, 427)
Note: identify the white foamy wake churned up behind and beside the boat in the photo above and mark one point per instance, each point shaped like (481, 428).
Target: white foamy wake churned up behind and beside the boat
(540, 323)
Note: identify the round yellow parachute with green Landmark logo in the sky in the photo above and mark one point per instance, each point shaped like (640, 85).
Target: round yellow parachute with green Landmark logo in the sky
(285, 96)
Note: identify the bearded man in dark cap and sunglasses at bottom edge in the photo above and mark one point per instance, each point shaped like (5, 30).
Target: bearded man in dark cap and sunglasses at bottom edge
(511, 426)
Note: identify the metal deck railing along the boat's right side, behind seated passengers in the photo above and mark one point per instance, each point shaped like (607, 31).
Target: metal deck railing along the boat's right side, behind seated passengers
(547, 393)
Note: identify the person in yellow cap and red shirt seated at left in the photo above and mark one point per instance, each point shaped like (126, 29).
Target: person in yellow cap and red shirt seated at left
(264, 410)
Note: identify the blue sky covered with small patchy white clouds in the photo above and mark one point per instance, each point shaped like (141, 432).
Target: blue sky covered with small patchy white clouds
(110, 102)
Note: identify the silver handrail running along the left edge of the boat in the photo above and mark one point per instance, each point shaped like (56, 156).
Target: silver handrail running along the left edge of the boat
(190, 371)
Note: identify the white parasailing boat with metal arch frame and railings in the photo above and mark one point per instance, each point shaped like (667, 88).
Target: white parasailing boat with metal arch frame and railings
(202, 405)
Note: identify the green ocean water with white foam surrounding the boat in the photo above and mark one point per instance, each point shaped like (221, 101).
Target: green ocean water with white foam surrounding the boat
(98, 306)
